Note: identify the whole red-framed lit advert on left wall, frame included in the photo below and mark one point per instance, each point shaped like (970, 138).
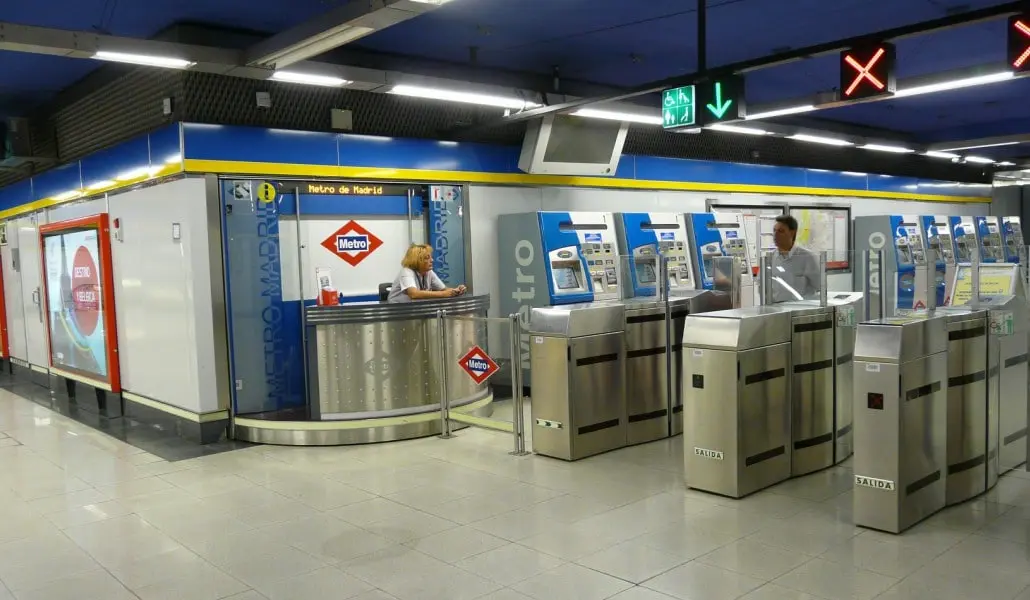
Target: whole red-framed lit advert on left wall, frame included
(80, 301)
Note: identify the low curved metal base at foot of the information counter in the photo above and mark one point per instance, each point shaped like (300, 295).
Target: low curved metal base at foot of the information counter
(351, 433)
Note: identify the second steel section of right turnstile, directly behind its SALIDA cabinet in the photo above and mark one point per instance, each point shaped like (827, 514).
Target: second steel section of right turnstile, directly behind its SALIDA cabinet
(970, 365)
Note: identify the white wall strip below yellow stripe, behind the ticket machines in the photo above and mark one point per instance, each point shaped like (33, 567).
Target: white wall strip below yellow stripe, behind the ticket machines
(486, 203)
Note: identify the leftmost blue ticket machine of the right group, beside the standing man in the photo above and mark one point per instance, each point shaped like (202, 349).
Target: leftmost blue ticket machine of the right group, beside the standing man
(905, 270)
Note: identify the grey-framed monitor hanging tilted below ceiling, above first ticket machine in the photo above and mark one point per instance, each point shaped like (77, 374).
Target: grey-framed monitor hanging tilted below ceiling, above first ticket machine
(564, 145)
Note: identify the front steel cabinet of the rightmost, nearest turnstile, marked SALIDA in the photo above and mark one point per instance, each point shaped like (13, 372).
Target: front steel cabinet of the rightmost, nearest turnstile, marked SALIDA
(901, 420)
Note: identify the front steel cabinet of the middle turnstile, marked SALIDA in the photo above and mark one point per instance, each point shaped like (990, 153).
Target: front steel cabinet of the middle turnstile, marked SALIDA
(737, 400)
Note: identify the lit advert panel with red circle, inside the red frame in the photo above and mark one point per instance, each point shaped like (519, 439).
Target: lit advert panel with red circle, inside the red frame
(75, 295)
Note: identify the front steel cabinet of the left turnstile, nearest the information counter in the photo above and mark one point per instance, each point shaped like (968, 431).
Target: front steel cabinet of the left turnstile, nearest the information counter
(578, 358)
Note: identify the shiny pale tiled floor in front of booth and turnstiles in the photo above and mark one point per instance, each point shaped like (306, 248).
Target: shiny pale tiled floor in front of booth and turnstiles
(87, 517)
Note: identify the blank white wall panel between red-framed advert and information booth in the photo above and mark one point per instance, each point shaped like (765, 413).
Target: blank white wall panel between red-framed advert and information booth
(163, 295)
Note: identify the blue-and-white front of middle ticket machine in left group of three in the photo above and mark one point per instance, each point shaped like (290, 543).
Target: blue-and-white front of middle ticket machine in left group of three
(645, 236)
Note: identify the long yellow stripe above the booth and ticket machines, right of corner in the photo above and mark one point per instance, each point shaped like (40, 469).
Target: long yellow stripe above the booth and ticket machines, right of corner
(272, 170)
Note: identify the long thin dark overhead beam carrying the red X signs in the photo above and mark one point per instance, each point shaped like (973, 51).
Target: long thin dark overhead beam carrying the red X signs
(952, 21)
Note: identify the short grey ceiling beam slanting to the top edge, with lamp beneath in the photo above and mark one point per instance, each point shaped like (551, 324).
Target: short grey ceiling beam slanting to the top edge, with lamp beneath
(344, 25)
